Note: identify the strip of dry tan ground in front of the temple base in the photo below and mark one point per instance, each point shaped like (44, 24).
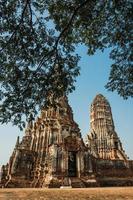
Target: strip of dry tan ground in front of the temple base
(125, 193)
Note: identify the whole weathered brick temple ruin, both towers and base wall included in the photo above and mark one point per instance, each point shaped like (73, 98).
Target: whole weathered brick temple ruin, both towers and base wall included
(52, 152)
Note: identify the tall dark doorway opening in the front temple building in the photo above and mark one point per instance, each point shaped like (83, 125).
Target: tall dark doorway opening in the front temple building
(72, 172)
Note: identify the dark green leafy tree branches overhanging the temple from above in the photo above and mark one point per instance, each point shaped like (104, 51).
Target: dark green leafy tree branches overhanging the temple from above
(37, 49)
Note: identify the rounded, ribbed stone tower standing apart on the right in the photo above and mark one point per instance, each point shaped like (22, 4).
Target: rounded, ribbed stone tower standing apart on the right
(103, 137)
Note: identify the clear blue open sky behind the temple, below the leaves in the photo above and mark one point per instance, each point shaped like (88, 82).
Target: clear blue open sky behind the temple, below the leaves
(94, 75)
